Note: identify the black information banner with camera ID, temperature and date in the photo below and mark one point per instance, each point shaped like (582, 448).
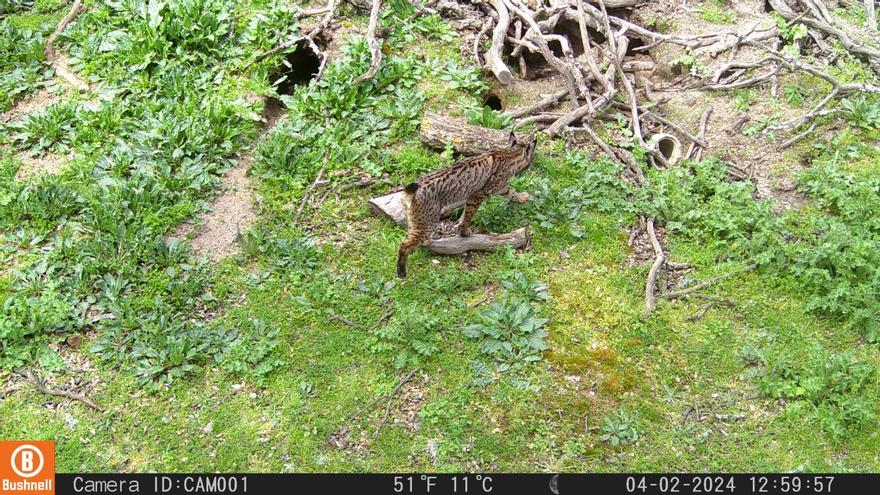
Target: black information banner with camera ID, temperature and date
(467, 484)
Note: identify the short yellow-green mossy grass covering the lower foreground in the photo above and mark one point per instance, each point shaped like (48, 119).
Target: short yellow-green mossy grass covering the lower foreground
(603, 355)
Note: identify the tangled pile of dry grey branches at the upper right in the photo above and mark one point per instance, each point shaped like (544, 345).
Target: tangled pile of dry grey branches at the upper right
(593, 79)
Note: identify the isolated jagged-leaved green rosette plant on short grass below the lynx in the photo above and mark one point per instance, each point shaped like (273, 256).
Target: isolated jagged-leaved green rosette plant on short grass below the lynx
(510, 333)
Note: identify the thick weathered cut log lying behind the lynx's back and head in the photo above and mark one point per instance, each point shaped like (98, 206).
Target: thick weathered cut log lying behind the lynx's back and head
(438, 130)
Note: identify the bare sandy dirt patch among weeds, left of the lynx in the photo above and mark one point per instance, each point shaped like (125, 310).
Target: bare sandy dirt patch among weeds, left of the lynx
(231, 212)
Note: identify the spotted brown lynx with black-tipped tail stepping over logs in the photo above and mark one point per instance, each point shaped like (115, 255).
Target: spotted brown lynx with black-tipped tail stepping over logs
(473, 179)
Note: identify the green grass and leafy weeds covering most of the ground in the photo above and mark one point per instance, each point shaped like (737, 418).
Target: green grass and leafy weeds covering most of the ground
(239, 365)
